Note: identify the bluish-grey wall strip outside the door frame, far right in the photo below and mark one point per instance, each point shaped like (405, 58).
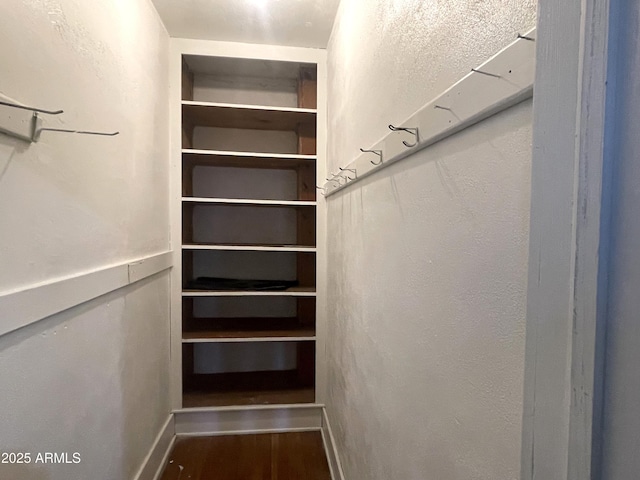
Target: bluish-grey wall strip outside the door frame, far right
(622, 397)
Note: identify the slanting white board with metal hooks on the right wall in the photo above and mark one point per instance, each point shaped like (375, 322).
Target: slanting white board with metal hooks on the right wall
(508, 80)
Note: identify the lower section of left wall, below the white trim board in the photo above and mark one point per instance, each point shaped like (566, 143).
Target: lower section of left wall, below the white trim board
(92, 380)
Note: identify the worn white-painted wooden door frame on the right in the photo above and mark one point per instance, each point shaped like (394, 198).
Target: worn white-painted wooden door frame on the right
(567, 289)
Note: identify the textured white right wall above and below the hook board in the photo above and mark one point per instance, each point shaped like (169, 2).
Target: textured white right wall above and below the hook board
(427, 259)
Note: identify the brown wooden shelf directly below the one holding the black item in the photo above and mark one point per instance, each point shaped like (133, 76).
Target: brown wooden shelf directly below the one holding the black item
(253, 329)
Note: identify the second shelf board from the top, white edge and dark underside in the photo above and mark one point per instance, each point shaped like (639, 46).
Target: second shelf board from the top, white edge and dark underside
(220, 158)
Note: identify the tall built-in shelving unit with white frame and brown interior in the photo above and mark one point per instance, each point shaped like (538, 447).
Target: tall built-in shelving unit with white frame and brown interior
(248, 142)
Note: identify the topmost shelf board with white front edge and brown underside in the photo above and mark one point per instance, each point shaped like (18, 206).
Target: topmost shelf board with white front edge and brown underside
(254, 117)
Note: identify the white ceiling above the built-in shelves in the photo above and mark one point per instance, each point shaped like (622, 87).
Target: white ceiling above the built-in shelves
(302, 23)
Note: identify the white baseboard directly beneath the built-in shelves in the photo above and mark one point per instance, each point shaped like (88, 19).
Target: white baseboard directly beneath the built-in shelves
(252, 419)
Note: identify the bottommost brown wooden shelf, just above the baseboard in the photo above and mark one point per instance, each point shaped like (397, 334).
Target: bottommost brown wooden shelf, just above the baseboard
(245, 388)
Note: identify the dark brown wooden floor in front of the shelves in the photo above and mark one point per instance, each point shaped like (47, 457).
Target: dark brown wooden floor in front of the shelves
(279, 456)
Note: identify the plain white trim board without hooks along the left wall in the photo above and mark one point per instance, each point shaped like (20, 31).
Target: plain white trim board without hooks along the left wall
(29, 305)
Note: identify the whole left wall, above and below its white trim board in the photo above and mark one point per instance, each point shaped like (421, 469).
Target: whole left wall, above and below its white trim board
(93, 379)
